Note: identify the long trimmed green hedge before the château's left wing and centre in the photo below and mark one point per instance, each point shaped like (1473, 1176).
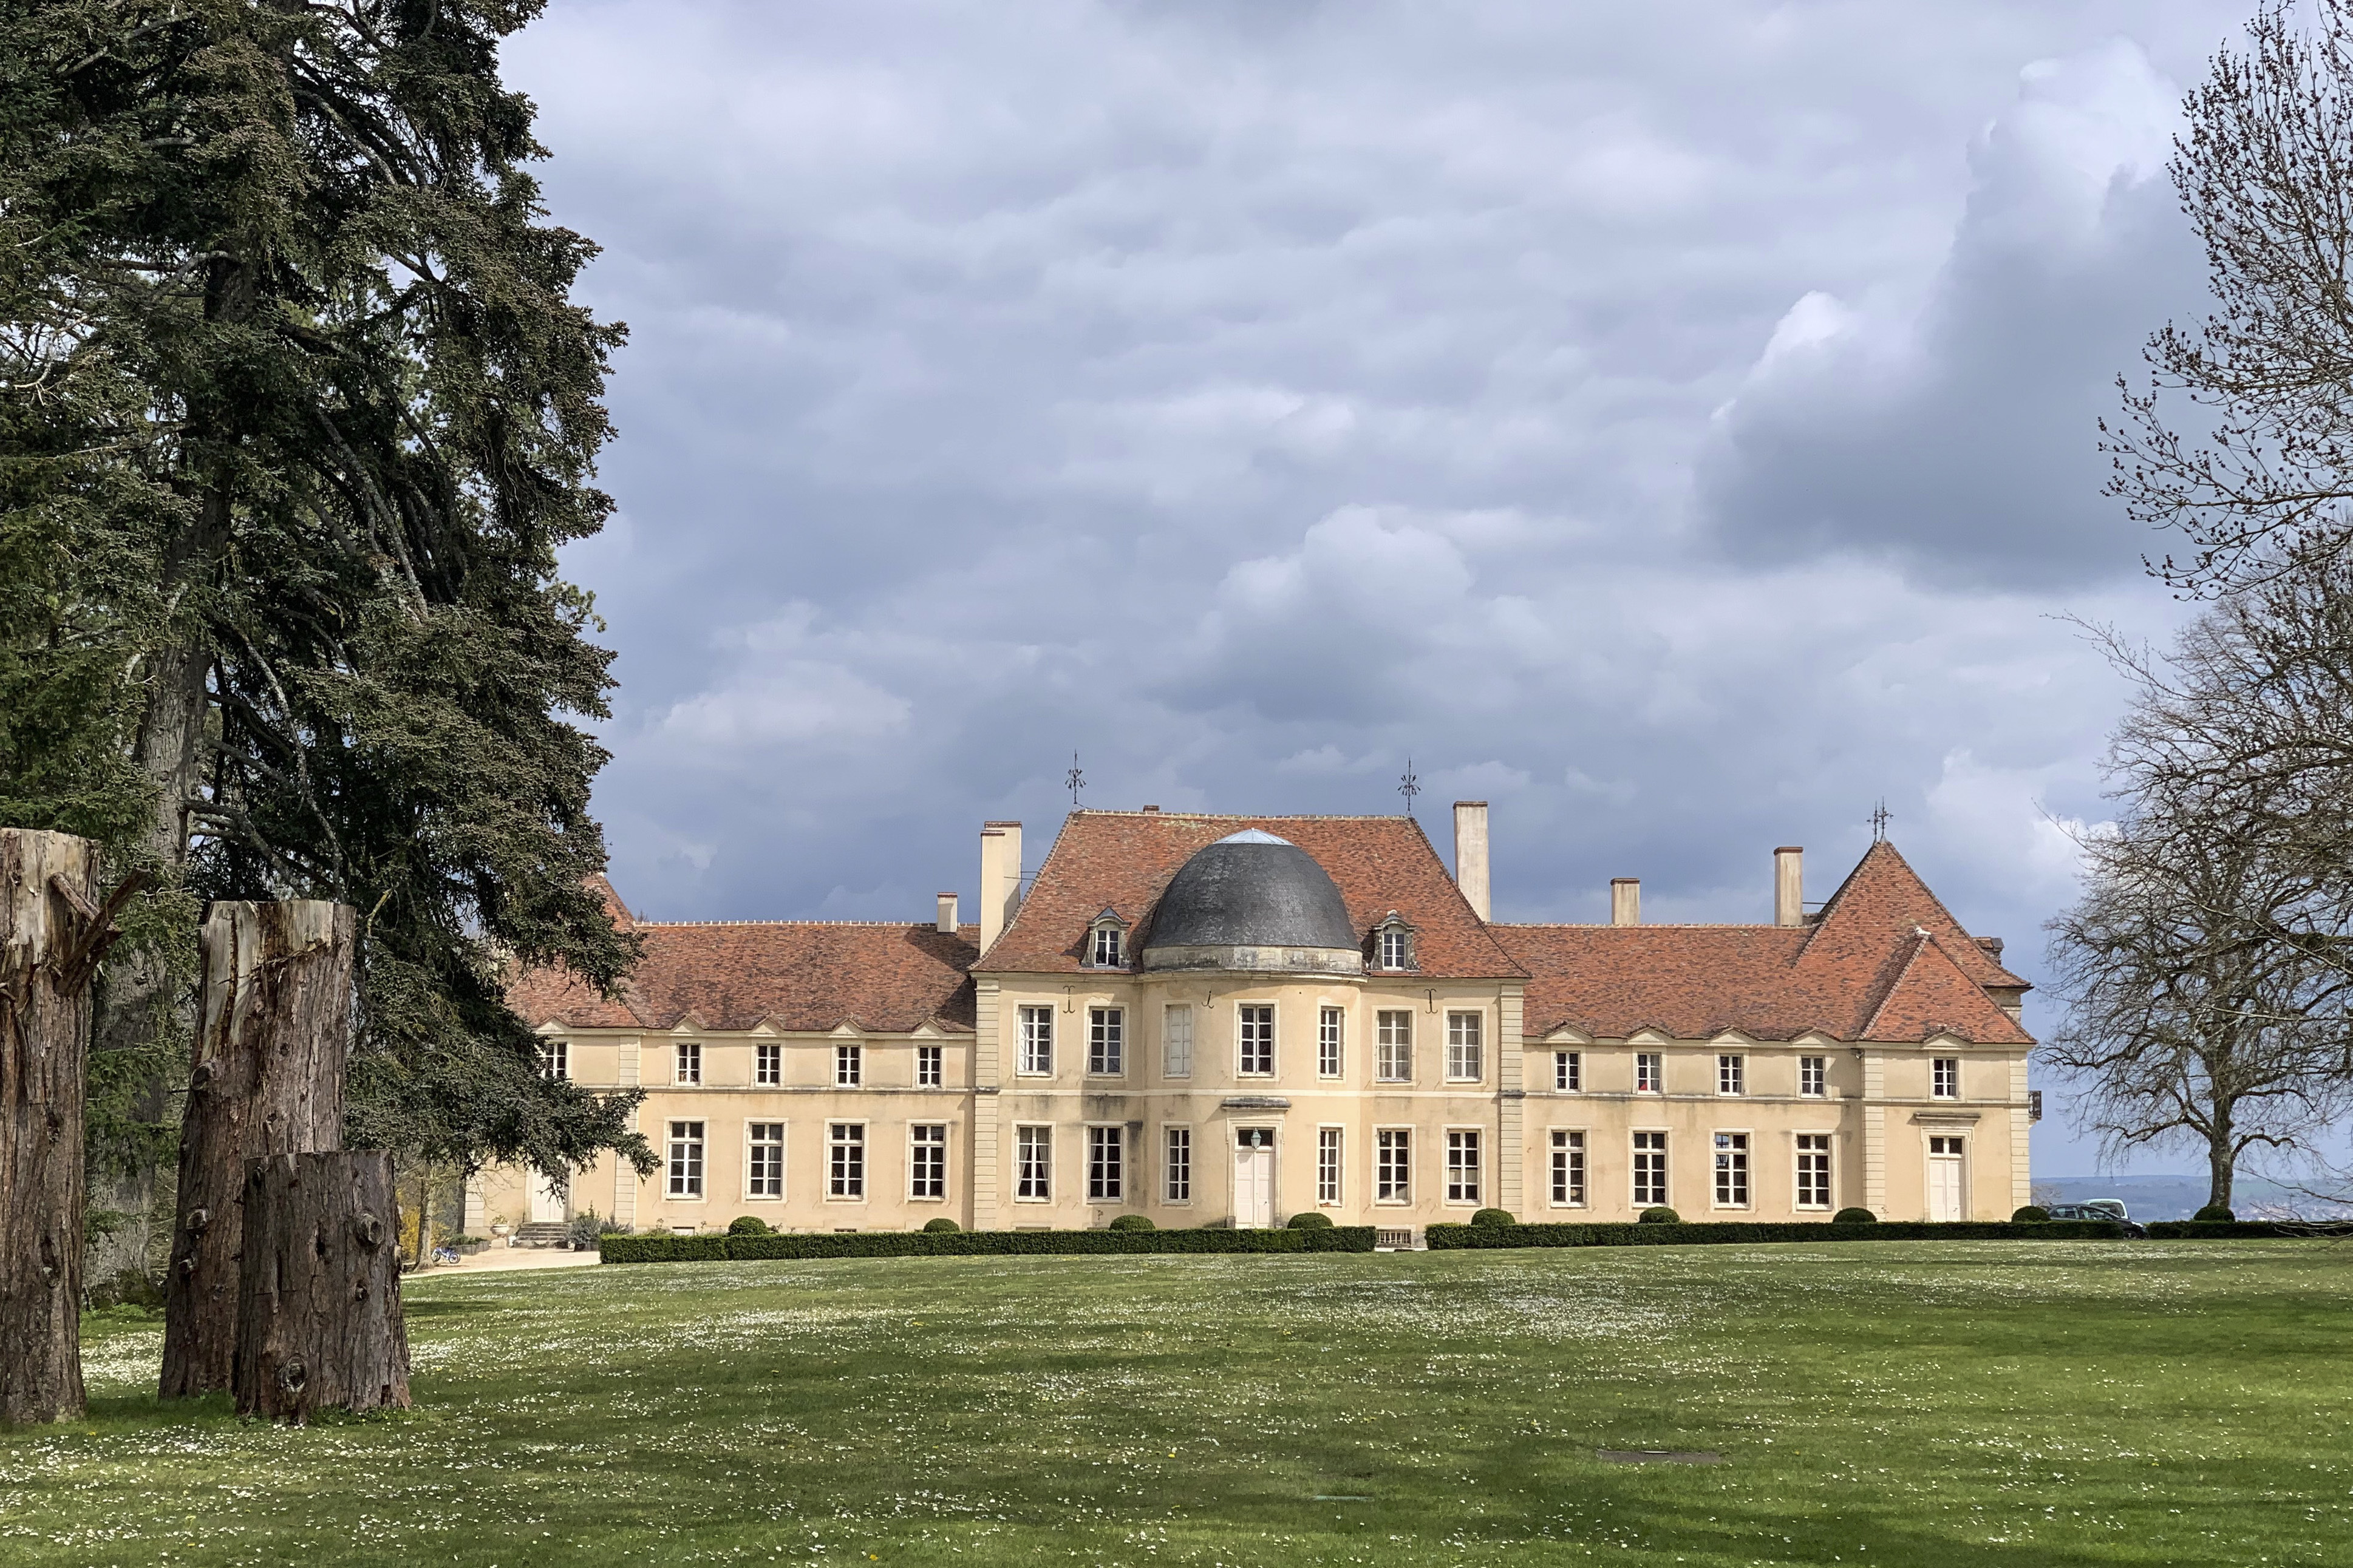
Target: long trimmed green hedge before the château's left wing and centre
(982, 1245)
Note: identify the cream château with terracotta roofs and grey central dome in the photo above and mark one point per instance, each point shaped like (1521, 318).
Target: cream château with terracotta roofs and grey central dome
(1227, 1021)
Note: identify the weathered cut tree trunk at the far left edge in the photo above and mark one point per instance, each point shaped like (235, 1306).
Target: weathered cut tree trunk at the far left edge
(51, 942)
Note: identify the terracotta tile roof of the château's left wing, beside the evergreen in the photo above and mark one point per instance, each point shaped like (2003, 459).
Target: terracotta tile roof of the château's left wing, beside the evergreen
(792, 974)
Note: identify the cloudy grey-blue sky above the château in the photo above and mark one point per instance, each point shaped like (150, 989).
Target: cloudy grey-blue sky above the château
(1672, 424)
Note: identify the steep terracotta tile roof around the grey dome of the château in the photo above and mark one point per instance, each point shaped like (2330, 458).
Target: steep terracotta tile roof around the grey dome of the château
(1126, 859)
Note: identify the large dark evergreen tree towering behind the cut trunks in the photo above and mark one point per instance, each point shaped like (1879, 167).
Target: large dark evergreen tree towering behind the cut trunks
(333, 417)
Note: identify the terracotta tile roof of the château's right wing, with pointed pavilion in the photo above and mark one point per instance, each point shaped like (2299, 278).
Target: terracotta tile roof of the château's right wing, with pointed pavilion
(1884, 963)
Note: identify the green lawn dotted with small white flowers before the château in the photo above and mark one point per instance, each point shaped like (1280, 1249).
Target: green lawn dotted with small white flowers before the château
(1874, 1405)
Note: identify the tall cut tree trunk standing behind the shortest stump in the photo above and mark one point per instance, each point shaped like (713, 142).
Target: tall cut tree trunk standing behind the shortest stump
(269, 1080)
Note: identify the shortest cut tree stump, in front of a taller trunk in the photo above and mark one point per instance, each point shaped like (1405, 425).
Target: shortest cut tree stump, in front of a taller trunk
(319, 1287)
